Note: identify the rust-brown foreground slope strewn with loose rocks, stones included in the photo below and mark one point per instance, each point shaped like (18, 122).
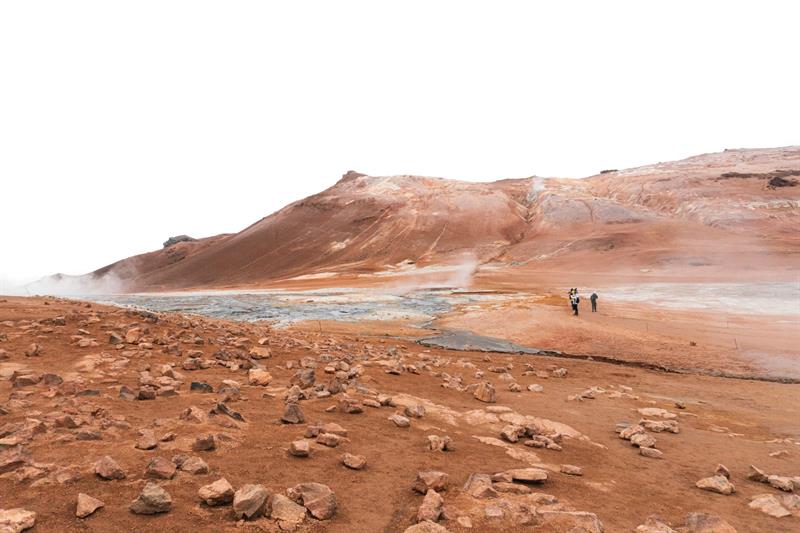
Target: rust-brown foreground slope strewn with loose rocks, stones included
(114, 419)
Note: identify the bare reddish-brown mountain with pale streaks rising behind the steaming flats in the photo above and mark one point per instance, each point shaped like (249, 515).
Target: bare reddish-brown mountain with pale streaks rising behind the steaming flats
(728, 212)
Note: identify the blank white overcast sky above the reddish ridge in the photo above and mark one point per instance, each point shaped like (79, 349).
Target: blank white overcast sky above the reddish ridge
(122, 123)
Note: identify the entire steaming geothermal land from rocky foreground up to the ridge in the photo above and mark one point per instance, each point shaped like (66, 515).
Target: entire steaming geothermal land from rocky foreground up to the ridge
(399, 354)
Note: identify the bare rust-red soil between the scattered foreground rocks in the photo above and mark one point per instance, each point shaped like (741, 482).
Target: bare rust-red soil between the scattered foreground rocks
(735, 422)
